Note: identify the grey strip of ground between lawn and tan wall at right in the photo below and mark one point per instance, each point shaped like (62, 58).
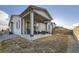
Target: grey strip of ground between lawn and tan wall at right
(74, 45)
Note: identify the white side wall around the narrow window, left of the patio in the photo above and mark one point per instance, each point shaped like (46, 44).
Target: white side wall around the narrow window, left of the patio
(15, 30)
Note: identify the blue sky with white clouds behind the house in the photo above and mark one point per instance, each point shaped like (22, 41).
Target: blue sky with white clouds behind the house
(63, 15)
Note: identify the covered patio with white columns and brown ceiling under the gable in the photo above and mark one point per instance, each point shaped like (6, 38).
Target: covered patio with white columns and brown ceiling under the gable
(35, 22)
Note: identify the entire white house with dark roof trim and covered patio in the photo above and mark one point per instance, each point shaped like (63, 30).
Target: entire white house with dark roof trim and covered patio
(33, 21)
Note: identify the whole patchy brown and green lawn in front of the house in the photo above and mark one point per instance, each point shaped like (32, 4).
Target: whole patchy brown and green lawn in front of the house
(55, 43)
